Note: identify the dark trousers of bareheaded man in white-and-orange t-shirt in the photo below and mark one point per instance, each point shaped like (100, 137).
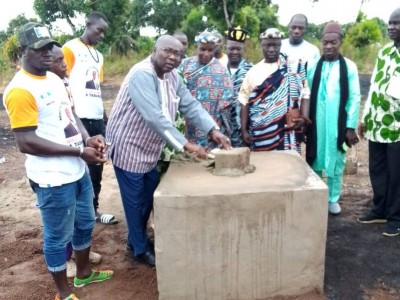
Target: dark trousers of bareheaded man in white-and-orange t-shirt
(95, 127)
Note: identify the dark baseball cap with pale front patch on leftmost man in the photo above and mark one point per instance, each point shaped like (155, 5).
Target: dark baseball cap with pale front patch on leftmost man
(35, 36)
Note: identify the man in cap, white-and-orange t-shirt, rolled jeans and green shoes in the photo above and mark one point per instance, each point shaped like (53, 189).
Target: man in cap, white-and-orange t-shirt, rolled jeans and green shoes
(40, 113)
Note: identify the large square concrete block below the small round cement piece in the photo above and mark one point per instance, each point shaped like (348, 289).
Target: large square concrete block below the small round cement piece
(250, 237)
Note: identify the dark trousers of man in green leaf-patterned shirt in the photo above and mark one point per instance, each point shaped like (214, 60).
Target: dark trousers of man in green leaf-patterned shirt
(384, 172)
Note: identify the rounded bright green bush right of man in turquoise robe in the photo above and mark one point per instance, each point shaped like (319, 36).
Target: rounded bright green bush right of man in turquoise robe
(364, 33)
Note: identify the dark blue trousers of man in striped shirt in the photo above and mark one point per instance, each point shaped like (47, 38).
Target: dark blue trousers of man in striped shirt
(137, 191)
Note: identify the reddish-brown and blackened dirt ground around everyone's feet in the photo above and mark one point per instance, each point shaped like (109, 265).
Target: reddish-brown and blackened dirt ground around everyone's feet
(360, 262)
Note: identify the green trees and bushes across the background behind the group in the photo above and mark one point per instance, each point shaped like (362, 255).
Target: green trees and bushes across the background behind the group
(123, 43)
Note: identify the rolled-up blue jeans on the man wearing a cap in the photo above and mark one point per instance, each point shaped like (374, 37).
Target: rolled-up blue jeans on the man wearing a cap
(67, 215)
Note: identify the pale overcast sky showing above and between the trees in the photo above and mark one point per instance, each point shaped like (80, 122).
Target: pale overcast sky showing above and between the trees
(343, 11)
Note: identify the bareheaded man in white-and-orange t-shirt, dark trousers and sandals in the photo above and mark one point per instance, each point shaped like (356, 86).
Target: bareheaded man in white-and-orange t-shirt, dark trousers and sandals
(85, 72)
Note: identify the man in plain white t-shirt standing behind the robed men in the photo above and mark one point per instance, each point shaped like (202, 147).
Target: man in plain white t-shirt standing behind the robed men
(295, 46)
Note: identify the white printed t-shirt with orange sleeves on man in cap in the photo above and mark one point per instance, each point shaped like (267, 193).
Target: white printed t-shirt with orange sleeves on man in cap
(42, 102)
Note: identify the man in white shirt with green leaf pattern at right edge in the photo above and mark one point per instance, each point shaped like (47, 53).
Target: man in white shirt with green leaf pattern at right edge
(381, 127)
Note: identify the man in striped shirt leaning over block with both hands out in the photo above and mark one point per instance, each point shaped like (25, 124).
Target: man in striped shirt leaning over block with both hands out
(140, 123)
